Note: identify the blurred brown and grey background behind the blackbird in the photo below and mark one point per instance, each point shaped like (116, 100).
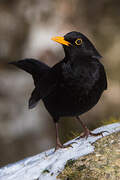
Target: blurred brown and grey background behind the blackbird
(26, 28)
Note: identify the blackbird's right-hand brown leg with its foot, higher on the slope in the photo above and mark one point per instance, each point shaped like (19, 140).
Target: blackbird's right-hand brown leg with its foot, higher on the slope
(87, 132)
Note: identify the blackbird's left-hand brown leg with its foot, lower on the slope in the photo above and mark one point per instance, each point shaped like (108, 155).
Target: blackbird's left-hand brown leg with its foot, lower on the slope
(58, 143)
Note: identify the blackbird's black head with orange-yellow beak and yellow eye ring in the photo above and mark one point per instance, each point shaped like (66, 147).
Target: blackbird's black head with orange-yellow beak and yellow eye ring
(77, 44)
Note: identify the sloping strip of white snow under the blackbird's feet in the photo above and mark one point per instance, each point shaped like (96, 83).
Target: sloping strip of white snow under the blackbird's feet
(47, 165)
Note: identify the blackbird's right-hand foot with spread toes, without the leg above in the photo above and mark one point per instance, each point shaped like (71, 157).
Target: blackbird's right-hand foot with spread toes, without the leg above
(88, 132)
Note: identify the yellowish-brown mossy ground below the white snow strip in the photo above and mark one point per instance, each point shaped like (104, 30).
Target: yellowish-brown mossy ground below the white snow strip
(103, 164)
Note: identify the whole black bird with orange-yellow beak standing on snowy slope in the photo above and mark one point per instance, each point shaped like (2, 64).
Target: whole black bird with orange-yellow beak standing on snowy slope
(72, 86)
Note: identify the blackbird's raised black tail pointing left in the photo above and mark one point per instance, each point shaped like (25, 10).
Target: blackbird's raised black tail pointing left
(36, 68)
